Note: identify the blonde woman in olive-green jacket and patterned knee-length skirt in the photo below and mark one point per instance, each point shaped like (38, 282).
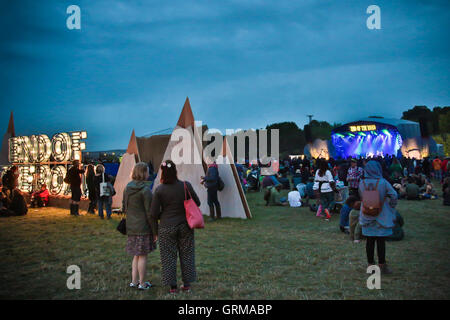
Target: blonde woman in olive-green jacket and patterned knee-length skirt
(136, 203)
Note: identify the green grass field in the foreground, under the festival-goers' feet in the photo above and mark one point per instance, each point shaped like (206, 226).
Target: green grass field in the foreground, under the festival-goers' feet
(282, 253)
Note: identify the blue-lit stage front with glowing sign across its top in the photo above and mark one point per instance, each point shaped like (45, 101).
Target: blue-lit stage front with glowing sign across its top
(366, 139)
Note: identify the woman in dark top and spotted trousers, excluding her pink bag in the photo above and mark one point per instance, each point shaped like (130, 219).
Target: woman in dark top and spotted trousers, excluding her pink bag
(175, 235)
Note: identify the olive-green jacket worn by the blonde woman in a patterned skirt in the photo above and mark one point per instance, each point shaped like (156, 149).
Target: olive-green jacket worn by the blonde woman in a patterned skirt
(136, 203)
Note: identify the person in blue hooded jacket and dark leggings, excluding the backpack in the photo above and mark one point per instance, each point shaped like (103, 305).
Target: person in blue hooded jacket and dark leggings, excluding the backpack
(377, 228)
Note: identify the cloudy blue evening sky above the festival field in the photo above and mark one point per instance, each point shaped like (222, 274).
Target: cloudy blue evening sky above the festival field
(243, 63)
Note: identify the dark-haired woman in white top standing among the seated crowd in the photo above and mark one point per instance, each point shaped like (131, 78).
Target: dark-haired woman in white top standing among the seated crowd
(325, 188)
